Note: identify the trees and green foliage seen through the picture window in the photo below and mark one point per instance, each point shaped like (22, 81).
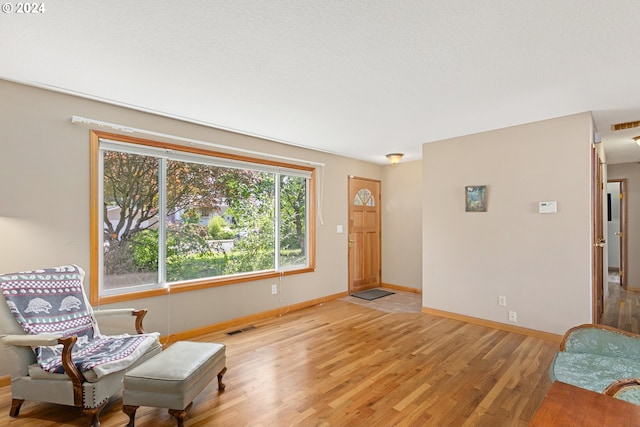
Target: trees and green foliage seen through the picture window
(193, 250)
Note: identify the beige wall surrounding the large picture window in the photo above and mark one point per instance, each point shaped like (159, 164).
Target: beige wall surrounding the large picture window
(44, 205)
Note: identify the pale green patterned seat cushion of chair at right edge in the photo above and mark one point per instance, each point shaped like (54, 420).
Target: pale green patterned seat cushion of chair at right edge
(592, 371)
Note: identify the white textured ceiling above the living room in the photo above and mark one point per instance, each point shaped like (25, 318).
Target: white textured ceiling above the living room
(357, 78)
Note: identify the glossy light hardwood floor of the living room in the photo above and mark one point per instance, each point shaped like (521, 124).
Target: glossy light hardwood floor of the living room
(344, 364)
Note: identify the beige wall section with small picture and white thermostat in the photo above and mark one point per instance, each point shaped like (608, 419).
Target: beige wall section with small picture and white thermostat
(541, 263)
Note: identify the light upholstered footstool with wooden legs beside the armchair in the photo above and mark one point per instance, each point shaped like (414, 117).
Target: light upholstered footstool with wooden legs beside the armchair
(173, 378)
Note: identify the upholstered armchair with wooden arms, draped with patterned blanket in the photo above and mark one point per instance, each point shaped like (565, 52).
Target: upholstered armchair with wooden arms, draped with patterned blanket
(51, 341)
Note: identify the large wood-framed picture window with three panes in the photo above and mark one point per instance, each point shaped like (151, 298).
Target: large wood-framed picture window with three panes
(174, 217)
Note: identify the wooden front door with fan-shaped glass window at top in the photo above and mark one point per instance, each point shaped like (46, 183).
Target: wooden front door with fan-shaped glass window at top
(364, 234)
